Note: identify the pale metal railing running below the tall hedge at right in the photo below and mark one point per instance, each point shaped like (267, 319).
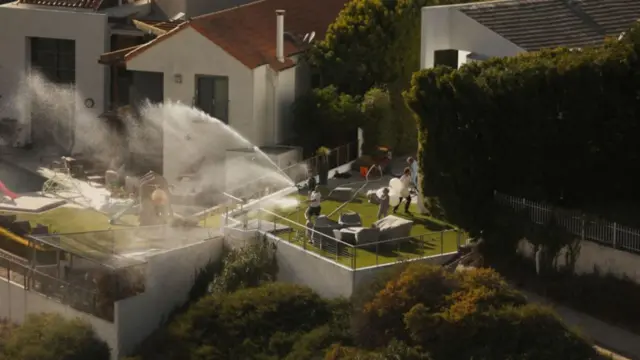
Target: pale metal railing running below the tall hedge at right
(605, 232)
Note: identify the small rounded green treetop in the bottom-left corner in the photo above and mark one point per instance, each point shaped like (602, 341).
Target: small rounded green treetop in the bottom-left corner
(52, 337)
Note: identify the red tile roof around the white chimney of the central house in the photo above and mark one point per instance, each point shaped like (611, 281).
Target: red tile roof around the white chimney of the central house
(248, 32)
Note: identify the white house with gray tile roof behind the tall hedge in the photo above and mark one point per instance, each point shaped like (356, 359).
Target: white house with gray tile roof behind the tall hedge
(456, 34)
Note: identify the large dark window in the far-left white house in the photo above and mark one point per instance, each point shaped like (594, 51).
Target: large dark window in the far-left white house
(55, 59)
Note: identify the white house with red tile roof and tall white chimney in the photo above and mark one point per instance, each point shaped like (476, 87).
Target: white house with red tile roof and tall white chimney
(240, 65)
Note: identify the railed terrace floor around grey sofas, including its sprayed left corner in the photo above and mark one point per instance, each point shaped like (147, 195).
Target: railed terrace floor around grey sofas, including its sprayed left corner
(285, 219)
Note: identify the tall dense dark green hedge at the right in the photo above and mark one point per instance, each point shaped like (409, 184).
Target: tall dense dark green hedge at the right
(558, 125)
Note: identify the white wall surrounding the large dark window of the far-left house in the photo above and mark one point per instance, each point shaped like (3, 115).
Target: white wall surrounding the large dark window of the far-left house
(88, 29)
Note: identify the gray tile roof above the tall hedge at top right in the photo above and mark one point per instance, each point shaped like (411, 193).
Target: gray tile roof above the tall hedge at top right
(537, 24)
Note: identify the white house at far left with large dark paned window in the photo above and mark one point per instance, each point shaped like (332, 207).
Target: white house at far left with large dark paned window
(63, 38)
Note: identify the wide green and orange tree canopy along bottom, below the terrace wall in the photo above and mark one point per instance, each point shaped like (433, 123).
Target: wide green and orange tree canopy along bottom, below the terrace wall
(420, 312)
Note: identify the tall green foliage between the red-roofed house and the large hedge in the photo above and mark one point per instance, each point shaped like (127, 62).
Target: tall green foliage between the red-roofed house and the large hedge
(374, 44)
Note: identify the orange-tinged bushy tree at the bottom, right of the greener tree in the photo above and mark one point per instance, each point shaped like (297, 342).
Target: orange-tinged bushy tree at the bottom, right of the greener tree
(470, 314)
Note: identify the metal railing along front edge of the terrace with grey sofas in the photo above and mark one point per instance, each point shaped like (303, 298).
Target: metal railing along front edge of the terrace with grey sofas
(359, 255)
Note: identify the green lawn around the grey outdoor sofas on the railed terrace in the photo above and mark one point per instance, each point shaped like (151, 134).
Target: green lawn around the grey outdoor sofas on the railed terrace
(427, 236)
